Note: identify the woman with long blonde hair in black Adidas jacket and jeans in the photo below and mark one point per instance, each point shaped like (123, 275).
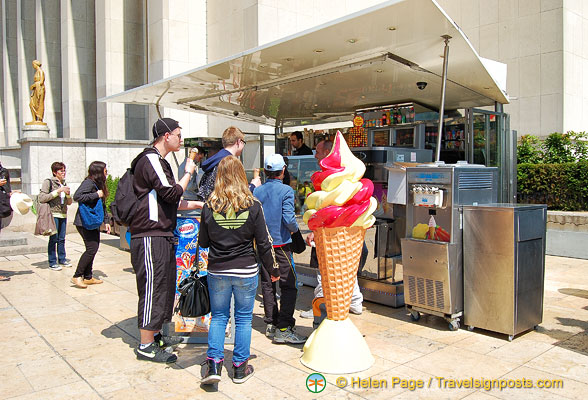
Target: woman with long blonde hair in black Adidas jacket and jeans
(232, 226)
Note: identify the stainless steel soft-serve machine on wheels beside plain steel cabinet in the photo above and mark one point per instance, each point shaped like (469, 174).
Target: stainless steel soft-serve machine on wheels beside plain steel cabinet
(433, 265)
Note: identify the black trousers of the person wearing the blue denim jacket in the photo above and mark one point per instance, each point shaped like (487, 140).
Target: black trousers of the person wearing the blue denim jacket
(284, 316)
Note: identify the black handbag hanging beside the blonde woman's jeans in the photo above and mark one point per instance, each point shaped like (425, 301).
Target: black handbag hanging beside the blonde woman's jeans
(194, 297)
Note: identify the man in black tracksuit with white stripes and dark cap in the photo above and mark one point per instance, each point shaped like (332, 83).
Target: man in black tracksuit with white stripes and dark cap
(152, 238)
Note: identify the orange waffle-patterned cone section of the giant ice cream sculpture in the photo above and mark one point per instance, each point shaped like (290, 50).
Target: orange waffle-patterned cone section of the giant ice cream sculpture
(338, 251)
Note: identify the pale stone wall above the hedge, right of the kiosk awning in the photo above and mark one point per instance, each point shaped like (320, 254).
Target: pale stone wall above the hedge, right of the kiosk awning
(529, 36)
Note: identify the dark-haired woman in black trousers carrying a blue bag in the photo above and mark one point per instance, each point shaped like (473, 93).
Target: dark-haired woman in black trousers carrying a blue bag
(91, 190)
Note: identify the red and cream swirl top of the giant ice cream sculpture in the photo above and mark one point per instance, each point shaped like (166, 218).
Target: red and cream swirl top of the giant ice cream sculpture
(342, 197)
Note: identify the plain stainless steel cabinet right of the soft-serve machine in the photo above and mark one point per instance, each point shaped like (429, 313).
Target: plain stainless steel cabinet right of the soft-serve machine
(504, 266)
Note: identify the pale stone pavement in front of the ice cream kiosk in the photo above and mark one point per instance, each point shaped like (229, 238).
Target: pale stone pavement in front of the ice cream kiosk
(62, 342)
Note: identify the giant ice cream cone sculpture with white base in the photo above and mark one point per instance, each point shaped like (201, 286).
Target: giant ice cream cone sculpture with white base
(339, 213)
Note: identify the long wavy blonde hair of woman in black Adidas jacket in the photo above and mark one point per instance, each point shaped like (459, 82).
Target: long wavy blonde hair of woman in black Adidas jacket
(230, 188)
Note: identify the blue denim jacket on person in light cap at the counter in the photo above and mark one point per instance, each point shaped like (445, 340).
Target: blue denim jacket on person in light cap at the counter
(277, 200)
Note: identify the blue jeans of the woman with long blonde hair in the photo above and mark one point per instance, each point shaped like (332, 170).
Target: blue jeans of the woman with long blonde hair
(221, 288)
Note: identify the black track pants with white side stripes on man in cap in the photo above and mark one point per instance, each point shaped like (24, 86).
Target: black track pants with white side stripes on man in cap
(154, 262)
